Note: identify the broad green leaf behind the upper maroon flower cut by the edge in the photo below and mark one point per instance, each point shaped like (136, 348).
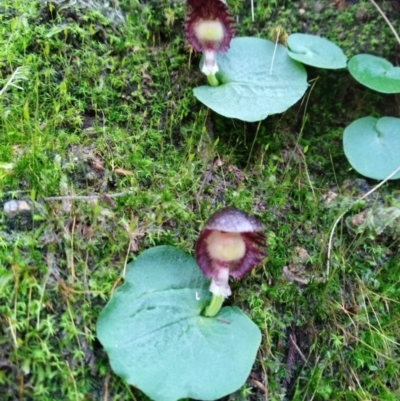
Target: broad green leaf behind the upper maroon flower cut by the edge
(257, 78)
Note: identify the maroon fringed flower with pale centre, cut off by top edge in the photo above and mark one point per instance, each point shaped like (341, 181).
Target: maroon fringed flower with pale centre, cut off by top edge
(209, 28)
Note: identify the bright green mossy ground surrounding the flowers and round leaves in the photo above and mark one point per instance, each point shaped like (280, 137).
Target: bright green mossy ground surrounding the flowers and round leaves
(108, 109)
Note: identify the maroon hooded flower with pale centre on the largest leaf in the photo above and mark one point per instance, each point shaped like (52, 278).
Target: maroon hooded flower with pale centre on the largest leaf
(231, 243)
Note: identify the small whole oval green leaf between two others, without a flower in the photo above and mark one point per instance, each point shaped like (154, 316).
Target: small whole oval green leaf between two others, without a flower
(316, 51)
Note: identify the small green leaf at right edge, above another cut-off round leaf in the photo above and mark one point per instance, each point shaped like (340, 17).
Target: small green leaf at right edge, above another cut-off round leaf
(375, 73)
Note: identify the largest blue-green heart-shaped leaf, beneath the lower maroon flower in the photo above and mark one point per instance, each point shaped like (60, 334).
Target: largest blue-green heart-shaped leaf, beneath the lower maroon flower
(157, 340)
